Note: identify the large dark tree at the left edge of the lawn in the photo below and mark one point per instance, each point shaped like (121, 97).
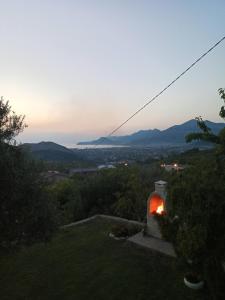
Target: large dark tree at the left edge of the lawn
(26, 215)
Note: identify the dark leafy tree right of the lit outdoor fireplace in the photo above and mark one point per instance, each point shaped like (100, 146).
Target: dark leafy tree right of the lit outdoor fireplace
(198, 197)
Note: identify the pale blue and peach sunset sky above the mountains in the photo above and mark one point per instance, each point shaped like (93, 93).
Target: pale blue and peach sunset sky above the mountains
(78, 68)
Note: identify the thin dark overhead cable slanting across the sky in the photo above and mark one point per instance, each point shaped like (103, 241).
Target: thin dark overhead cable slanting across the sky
(163, 90)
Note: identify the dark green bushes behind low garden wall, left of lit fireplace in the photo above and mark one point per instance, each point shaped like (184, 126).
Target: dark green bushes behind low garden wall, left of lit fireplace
(122, 192)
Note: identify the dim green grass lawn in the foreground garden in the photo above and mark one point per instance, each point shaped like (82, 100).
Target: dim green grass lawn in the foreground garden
(82, 262)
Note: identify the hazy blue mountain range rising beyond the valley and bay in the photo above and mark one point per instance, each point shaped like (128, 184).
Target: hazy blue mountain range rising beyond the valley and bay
(174, 135)
